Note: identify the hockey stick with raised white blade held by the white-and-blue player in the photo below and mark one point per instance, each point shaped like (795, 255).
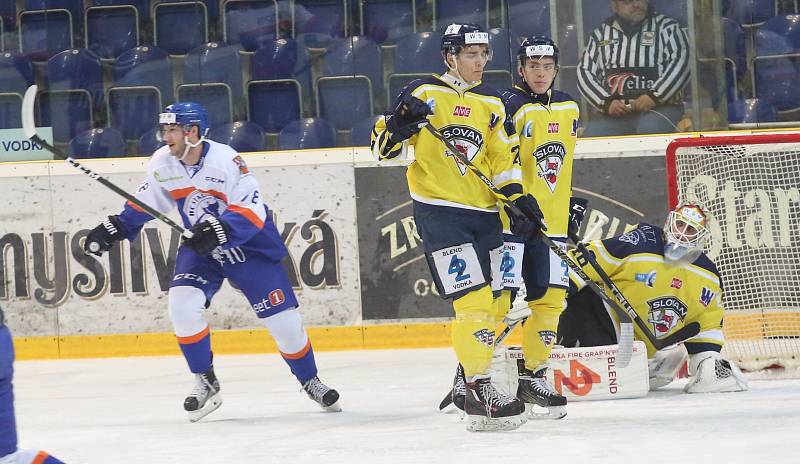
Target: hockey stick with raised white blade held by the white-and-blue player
(29, 126)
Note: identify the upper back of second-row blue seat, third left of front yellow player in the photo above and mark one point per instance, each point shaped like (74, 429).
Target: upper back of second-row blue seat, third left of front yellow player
(283, 59)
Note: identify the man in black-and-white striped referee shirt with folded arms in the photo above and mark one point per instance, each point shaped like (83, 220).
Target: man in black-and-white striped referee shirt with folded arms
(633, 71)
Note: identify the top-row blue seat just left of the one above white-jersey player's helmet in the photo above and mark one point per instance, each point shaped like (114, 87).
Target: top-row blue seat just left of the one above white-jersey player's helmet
(111, 30)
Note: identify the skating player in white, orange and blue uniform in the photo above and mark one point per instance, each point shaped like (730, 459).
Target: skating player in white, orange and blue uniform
(234, 237)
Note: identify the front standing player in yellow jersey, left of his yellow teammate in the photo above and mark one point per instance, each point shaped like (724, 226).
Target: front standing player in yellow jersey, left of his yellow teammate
(455, 213)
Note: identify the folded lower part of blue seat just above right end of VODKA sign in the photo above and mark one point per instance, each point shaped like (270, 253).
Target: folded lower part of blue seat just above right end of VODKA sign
(68, 112)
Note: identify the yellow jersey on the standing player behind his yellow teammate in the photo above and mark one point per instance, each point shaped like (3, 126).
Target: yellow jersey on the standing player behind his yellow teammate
(547, 128)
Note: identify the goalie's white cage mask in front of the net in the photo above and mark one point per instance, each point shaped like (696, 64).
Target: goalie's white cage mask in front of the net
(685, 233)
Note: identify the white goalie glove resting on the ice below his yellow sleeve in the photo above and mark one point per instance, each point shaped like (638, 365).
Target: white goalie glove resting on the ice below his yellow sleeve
(711, 373)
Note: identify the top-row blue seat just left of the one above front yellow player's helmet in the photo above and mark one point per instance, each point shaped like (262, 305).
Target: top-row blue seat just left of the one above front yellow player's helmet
(385, 21)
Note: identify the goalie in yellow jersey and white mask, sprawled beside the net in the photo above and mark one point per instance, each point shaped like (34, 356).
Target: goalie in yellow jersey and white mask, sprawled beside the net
(670, 283)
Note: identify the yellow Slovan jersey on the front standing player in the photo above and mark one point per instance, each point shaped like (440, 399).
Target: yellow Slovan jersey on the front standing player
(474, 119)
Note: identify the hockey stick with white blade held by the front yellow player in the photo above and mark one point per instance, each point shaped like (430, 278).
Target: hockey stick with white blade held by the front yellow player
(625, 342)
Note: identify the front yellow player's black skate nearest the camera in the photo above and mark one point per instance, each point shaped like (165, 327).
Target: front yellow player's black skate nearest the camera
(489, 409)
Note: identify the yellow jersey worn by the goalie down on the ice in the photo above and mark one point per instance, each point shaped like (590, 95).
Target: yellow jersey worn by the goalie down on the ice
(665, 297)
